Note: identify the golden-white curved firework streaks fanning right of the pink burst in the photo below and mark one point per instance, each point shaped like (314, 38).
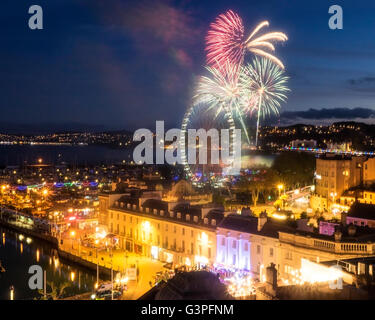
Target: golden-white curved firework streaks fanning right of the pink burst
(264, 41)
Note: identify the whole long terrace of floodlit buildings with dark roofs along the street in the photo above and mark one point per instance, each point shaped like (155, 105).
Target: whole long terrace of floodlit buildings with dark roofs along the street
(182, 234)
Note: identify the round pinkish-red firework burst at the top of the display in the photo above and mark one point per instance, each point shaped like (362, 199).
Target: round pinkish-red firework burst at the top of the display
(225, 41)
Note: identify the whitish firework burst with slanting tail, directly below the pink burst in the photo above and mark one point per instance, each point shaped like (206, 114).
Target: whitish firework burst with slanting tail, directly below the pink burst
(222, 92)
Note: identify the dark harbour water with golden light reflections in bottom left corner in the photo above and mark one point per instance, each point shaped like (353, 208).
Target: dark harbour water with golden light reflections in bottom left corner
(18, 255)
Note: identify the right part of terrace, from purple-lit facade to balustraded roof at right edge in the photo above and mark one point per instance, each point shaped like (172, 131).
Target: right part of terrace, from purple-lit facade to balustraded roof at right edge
(251, 244)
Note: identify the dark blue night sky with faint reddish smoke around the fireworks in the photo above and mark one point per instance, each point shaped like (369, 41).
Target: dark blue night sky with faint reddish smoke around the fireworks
(125, 64)
